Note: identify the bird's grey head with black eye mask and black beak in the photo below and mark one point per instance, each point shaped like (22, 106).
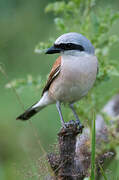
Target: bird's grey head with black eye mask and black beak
(71, 42)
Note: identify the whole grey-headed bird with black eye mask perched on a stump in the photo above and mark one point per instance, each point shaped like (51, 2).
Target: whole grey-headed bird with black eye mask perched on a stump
(73, 74)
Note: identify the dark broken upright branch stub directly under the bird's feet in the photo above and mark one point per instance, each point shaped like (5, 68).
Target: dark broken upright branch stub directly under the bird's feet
(64, 167)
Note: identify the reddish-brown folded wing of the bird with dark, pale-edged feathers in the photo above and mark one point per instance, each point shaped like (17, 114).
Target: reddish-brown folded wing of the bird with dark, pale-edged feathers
(53, 74)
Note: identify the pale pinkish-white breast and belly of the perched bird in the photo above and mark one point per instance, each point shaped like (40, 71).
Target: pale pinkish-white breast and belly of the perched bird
(77, 76)
